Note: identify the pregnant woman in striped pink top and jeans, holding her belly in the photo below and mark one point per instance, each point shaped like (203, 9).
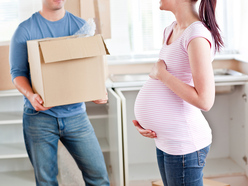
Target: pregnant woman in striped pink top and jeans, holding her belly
(181, 85)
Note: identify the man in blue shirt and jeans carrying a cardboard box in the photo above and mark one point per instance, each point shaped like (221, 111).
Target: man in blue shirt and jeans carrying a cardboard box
(44, 126)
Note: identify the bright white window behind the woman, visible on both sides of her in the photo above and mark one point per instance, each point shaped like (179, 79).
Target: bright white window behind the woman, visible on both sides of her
(143, 24)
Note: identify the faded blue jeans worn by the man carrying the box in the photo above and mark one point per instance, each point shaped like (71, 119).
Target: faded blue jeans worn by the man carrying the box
(41, 134)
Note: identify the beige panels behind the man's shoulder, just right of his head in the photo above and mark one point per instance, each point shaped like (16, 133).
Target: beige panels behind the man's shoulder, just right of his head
(97, 9)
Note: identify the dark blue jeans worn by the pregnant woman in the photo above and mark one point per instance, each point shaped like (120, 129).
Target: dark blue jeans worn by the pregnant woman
(182, 170)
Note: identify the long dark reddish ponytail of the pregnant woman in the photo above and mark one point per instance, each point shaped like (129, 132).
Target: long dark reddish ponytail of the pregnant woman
(207, 16)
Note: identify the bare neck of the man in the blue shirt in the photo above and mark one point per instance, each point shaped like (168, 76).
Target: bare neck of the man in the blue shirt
(53, 15)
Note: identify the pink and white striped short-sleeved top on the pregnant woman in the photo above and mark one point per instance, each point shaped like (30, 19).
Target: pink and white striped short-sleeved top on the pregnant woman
(180, 127)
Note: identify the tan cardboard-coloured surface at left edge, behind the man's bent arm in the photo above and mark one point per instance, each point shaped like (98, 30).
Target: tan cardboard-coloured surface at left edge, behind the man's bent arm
(5, 77)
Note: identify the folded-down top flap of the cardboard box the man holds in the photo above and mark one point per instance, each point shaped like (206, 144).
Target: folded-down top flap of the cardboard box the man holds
(68, 48)
